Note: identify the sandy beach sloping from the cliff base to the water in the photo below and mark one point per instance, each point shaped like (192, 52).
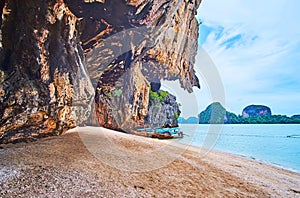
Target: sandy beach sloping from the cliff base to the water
(96, 162)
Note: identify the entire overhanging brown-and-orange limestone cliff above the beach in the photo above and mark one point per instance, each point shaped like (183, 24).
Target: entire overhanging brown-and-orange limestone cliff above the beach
(59, 56)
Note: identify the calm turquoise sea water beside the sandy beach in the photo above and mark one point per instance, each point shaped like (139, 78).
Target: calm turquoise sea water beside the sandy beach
(266, 143)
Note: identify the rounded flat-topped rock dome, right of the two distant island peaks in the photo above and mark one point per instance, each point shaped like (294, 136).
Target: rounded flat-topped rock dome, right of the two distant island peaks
(256, 110)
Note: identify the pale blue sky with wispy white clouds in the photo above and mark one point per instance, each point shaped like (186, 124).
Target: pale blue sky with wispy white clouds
(255, 46)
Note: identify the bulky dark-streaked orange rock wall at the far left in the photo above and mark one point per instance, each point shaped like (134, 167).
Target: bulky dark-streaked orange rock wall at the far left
(46, 89)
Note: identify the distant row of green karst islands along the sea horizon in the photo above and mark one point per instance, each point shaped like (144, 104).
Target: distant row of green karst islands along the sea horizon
(215, 113)
